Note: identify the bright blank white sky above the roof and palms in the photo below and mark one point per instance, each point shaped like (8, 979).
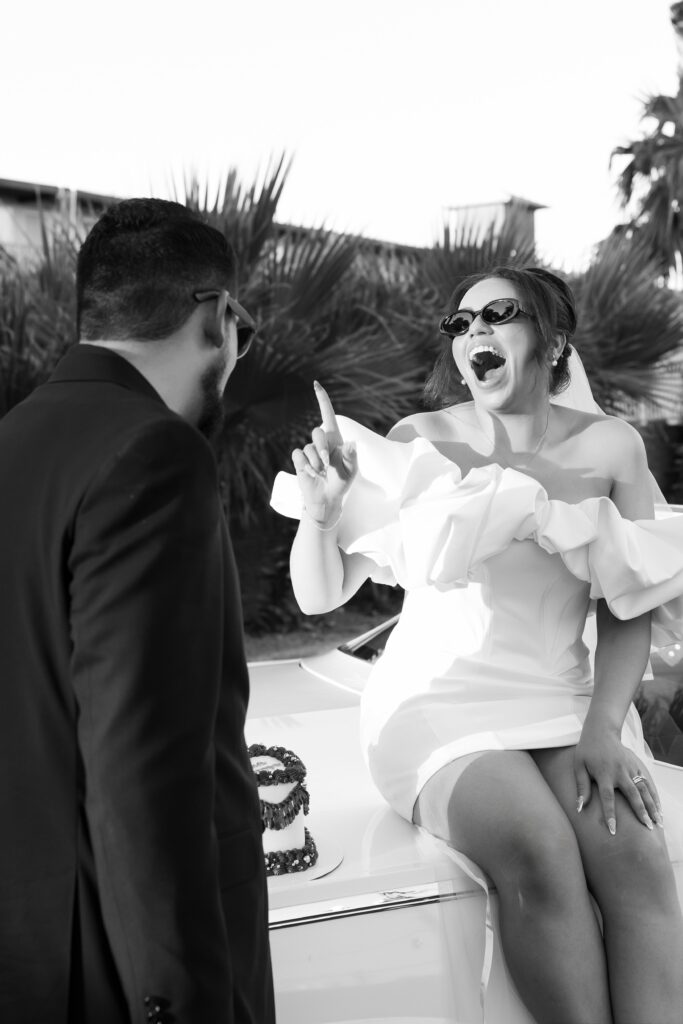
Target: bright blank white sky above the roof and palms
(394, 110)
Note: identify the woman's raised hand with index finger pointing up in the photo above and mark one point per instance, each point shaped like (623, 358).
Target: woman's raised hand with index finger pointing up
(326, 468)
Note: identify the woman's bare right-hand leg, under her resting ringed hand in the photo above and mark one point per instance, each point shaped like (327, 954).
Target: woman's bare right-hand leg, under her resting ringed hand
(633, 883)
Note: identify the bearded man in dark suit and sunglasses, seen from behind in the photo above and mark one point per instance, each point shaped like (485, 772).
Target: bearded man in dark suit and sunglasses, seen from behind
(133, 885)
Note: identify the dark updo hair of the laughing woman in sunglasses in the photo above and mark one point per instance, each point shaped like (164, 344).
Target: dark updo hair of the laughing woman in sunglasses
(546, 297)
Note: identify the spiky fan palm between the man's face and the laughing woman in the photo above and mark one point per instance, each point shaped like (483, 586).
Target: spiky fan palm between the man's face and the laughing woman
(326, 310)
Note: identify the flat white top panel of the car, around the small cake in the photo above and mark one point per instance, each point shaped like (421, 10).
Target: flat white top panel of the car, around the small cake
(371, 851)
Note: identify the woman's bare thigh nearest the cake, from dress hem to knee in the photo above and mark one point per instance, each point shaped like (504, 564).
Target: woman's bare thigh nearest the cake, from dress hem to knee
(500, 812)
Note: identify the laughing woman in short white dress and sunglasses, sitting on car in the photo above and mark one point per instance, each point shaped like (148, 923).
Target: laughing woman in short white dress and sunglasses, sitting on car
(484, 722)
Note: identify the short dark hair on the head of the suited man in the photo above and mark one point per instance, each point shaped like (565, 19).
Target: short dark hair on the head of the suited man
(140, 266)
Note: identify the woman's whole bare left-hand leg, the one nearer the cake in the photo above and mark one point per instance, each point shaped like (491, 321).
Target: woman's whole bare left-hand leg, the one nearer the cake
(502, 815)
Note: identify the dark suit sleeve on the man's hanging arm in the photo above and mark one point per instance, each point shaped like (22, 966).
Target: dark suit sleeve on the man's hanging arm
(147, 612)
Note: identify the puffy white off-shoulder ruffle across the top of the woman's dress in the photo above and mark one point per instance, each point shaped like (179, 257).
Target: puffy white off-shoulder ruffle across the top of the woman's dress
(413, 514)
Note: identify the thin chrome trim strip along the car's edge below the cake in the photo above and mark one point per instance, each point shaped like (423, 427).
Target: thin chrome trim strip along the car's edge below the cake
(356, 907)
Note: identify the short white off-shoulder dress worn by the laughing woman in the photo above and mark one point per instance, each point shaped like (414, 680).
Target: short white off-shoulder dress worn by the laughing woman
(489, 653)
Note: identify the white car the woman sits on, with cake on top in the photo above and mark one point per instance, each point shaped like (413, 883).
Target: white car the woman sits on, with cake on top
(389, 929)
